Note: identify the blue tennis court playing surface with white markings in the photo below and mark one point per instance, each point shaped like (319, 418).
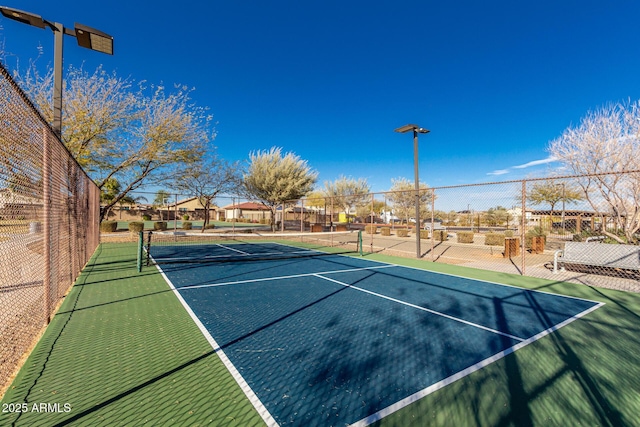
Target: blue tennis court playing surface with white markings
(335, 340)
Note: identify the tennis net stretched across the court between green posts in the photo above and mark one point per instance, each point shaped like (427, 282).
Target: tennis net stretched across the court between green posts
(195, 247)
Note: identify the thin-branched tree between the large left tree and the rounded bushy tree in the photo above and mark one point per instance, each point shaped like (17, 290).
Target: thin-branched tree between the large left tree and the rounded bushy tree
(208, 179)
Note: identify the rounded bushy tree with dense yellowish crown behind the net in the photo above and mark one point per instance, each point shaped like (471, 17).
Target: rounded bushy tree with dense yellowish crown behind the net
(274, 179)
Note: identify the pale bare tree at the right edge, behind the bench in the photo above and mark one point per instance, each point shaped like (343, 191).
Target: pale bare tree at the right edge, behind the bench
(605, 147)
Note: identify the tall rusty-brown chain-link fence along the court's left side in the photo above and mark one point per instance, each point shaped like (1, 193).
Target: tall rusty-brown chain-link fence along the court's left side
(49, 214)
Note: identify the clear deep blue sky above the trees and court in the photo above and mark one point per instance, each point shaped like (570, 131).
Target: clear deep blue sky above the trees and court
(330, 80)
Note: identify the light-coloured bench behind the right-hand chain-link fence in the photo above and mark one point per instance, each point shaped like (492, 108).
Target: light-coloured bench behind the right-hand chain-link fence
(598, 255)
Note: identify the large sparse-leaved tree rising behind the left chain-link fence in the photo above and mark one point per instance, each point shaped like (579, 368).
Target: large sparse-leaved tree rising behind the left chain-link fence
(137, 136)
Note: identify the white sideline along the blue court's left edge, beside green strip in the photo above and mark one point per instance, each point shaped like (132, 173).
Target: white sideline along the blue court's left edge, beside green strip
(253, 398)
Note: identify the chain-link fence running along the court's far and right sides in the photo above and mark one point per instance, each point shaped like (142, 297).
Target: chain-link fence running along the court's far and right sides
(583, 229)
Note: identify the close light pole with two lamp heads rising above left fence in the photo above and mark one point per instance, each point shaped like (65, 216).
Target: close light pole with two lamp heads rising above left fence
(87, 37)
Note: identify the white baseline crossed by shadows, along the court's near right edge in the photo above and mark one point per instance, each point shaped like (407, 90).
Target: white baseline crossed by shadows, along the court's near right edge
(459, 375)
